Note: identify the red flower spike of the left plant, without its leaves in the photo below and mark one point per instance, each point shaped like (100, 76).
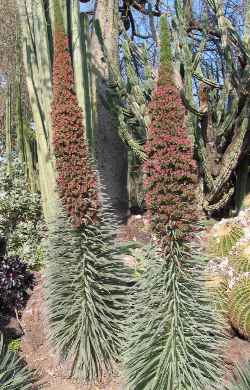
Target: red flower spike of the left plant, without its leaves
(76, 179)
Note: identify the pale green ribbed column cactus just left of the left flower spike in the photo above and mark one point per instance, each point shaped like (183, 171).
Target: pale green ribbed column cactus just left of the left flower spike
(37, 62)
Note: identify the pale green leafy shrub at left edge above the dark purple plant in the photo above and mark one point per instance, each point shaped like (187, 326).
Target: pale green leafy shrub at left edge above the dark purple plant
(21, 223)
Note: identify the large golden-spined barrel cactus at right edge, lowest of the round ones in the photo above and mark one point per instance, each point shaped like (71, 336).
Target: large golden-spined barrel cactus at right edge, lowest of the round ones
(239, 309)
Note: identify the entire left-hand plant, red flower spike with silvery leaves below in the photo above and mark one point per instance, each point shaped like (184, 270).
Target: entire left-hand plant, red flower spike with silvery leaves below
(86, 278)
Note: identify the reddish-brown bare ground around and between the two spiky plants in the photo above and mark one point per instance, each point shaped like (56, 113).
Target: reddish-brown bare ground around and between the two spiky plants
(56, 376)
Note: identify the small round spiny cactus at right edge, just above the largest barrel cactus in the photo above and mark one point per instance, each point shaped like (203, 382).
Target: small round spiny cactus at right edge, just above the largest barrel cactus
(239, 258)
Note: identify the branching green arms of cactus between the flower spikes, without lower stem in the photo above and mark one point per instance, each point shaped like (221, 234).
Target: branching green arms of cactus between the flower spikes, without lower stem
(131, 97)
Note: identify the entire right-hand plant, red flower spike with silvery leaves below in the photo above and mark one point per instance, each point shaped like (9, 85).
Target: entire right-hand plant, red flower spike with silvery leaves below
(172, 328)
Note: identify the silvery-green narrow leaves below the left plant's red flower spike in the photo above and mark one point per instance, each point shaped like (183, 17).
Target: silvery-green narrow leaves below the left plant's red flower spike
(86, 290)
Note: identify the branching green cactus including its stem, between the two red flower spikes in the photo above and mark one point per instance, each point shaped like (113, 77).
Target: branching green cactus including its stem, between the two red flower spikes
(128, 97)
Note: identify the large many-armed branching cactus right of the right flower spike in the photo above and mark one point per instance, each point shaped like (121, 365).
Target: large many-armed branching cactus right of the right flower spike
(220, 118)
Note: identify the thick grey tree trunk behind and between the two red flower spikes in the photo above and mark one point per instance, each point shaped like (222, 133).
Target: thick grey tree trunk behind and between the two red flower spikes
(111, 153)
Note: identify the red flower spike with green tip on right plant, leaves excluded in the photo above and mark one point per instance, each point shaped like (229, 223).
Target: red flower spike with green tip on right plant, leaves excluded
(170, 170)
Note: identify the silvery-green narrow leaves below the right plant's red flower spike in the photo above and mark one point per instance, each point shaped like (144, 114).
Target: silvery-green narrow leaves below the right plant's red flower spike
(173, 338)
